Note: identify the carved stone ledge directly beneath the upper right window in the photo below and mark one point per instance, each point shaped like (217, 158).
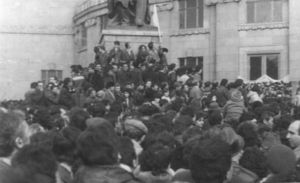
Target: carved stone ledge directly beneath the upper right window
(263, 26)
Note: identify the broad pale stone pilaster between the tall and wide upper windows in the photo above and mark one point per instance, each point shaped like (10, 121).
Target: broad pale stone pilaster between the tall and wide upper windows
(227, 38)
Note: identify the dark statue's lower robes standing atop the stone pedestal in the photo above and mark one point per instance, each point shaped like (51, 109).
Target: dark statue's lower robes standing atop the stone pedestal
(128, 12)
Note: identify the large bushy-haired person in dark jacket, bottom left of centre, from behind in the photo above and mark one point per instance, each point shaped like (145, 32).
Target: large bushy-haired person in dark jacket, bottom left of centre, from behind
(99, 153)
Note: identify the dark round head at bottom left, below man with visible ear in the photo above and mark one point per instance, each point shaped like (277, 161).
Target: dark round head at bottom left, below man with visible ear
(35, 163)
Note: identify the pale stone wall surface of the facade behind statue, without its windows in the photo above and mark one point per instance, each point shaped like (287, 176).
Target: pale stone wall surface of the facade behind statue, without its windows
(226, 39)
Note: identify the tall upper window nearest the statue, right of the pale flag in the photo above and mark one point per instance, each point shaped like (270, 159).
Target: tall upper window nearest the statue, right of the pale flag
(190, 13)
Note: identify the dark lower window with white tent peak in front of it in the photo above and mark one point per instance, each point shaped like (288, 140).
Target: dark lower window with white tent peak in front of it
(264, 64)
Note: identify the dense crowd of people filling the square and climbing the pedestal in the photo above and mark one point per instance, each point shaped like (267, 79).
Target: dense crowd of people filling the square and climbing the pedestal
(135, 118)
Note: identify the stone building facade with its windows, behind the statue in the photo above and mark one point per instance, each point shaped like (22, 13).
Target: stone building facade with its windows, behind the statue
(230, 38)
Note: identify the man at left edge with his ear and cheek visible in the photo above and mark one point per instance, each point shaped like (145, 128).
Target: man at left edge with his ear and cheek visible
(14, 135)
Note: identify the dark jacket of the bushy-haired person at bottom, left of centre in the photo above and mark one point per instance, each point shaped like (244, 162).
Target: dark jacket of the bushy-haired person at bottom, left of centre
(103, 174)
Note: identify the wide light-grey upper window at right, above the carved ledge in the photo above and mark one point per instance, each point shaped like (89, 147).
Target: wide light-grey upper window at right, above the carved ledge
(261, 11)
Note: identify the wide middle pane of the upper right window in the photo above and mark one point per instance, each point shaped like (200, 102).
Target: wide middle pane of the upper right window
(263, 11)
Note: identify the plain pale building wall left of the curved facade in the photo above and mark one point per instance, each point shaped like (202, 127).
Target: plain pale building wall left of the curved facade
(34, 35)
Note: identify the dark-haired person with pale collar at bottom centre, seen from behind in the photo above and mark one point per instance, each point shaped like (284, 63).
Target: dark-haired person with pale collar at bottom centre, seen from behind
(154, 165)
